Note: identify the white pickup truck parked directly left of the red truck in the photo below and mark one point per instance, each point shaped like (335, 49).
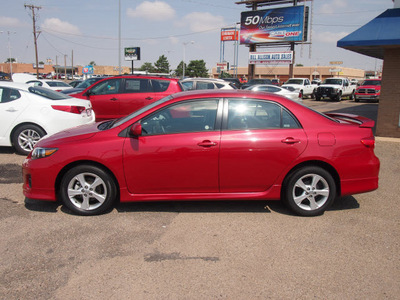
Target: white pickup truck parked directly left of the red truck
(335, 88)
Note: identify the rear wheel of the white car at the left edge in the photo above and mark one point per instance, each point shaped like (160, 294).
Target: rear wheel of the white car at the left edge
(25, 137)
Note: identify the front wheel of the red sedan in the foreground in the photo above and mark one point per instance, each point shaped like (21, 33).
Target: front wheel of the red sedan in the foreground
(88, 190)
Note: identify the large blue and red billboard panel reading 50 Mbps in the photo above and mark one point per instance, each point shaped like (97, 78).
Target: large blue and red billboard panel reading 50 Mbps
(285, 24)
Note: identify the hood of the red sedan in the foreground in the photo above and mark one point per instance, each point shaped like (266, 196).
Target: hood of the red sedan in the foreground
(72, 134)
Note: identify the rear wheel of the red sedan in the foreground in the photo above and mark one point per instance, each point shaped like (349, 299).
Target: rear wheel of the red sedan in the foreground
(309, 191)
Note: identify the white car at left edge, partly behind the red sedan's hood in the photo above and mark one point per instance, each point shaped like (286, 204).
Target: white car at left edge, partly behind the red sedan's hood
(28, 113)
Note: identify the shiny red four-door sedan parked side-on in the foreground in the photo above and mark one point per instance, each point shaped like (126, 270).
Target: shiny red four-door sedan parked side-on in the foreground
(207, 145)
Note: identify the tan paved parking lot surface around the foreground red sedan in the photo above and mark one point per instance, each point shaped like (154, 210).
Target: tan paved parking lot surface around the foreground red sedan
(204, 250)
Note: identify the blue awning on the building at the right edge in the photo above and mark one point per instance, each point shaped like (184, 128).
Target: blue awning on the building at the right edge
(372, 38)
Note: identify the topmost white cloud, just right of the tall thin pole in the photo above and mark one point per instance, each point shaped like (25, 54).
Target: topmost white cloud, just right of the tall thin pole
(153, 11)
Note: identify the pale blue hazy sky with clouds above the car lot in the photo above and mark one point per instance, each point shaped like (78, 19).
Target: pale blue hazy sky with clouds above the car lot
(88, 30)
